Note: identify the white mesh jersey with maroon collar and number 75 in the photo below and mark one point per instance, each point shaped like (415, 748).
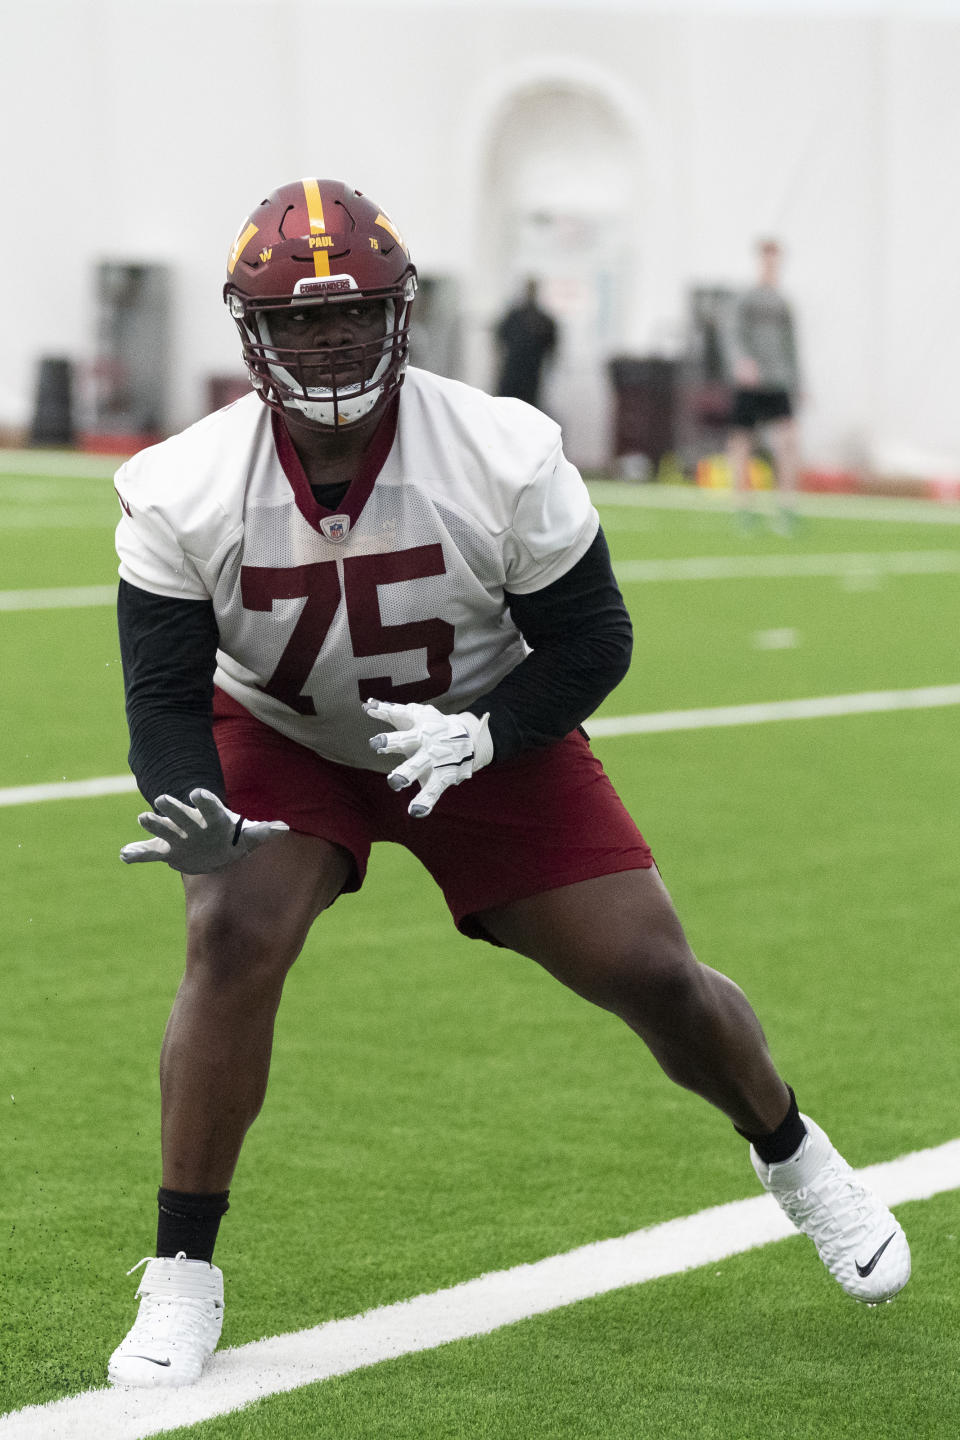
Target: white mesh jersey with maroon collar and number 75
(399, 595)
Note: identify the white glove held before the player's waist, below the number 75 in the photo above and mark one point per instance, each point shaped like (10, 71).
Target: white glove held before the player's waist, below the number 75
(441, 751)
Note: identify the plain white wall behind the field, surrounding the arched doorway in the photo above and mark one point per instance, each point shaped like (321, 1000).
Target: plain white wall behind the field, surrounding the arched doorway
(148, 130)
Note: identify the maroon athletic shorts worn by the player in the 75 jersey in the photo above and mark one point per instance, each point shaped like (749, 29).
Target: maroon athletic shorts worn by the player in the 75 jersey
(543, 820)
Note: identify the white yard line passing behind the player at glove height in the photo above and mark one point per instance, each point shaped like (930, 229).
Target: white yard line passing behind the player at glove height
(658, 722)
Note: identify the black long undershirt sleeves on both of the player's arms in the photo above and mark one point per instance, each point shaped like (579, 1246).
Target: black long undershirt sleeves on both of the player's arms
(578, 629)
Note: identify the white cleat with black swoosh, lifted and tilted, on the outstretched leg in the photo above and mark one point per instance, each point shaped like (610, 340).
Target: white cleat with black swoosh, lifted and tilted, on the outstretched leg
(857, 1238)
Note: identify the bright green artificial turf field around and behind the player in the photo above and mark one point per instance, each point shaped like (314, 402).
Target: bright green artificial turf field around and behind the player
(441, 1110)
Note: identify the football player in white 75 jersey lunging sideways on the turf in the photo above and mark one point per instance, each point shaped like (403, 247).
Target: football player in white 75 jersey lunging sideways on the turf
(369, 604)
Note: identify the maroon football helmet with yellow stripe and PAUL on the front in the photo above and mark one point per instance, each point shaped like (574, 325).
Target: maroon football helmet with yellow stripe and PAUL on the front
(320, 243)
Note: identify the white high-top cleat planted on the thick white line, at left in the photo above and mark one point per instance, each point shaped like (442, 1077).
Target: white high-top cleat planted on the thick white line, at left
(178, 1327)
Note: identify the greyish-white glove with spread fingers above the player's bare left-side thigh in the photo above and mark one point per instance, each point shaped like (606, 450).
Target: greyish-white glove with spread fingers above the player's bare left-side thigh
(201, 837)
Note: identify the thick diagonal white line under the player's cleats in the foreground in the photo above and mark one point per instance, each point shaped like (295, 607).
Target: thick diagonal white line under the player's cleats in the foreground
(284, 1363)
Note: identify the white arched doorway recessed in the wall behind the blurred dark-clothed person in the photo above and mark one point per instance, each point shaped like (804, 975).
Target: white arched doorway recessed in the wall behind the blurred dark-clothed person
(559, 204)
